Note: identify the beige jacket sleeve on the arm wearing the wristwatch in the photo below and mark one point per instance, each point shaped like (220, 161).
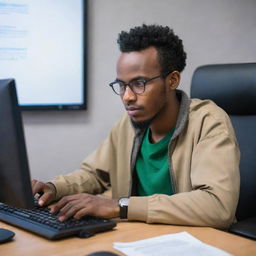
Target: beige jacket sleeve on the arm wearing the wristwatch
(214, 177)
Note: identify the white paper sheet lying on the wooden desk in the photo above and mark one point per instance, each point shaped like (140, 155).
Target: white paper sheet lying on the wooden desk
(173, 244)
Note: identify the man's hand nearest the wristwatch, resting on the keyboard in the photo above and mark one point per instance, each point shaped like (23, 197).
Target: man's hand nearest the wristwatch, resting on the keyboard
(80, 205)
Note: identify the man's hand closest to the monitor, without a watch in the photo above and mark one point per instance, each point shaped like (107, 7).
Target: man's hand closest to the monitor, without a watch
(47, 191)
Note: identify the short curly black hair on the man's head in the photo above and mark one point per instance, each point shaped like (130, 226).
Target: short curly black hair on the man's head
(168, 45)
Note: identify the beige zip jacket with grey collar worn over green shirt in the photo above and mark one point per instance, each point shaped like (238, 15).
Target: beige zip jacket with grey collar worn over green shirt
(203, 163)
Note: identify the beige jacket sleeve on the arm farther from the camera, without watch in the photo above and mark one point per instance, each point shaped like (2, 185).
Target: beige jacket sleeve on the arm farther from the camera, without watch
(92, 176)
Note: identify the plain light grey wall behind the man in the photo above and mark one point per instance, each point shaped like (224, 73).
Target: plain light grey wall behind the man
(212, 31)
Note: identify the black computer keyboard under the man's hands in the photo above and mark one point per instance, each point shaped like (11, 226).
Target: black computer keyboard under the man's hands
(41, 222)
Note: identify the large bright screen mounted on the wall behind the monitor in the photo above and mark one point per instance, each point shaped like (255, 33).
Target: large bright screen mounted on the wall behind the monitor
(43, 47)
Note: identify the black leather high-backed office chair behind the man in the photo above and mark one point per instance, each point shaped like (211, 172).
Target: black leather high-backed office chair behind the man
(233, 88)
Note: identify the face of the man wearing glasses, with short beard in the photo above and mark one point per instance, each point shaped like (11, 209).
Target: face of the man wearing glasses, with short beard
(144, 64)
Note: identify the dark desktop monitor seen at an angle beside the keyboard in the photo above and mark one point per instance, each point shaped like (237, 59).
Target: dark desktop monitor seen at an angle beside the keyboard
(15, 185)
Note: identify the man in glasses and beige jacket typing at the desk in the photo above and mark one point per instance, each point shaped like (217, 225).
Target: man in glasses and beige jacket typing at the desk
(168, 160)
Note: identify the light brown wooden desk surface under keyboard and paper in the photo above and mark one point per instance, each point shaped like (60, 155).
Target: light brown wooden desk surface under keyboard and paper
(27, 244)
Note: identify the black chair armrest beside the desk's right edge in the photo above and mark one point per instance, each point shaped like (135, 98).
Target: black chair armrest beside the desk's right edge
(245, 228)
